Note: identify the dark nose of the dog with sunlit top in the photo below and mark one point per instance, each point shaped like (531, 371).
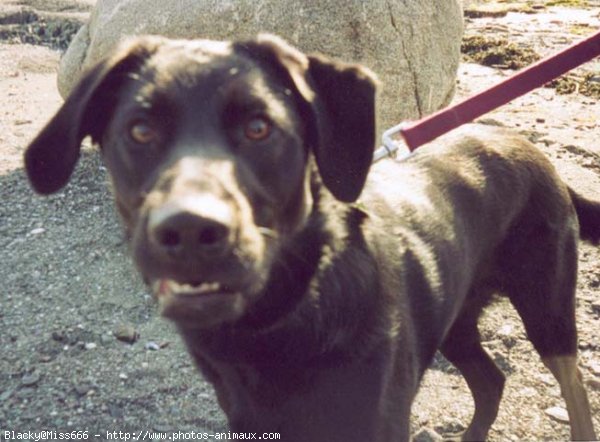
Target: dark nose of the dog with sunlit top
(193, 226)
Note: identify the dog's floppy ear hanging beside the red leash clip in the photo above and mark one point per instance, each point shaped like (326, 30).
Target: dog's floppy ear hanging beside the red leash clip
(340, 104)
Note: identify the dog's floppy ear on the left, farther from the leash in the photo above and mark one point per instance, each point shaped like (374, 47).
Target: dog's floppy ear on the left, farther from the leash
(52, 155)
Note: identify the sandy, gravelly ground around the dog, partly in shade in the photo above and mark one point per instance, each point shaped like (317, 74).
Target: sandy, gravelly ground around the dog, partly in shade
(69, 285)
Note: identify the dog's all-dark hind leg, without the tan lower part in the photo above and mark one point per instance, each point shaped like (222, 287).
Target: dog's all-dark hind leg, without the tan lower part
(462, 347)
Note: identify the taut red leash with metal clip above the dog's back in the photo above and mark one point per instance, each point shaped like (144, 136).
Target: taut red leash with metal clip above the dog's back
(427, 129)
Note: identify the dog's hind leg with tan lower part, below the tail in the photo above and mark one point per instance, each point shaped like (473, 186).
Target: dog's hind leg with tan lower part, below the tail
(541, 285)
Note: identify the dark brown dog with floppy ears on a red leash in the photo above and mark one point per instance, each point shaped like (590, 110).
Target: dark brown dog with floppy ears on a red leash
(312, 296)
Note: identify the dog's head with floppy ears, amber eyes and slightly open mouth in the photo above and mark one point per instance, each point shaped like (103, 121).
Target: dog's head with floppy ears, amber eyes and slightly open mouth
(207, 144)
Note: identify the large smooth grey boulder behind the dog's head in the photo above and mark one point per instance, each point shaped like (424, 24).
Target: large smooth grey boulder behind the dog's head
(413, 45)
